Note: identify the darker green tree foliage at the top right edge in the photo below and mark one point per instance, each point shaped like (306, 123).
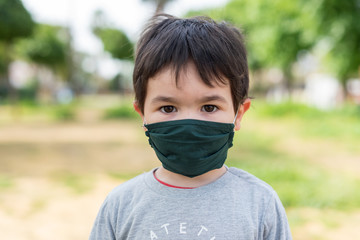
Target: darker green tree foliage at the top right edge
(338, 26)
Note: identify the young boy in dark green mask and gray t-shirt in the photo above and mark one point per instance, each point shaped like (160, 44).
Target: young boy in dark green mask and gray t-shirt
(191, 89)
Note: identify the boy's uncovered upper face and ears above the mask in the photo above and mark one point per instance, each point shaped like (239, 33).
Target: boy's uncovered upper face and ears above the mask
(191, 98)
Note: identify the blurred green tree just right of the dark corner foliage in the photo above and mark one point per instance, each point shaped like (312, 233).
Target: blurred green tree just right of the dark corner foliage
(51, 47)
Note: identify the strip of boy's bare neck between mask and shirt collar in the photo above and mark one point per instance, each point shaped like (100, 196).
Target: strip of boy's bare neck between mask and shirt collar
(182, 181)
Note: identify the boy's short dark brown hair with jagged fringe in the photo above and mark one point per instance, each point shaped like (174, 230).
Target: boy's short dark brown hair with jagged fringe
(217, 50)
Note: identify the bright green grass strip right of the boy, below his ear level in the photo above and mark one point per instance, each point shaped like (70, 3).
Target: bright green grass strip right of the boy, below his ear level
(341, 125)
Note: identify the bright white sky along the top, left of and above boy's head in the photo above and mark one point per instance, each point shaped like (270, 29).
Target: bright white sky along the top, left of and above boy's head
(129, 15)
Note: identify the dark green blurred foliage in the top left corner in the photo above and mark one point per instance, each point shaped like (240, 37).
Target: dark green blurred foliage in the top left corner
(15, 20)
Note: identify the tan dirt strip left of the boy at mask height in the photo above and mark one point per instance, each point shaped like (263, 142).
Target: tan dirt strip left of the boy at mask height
(32, 150)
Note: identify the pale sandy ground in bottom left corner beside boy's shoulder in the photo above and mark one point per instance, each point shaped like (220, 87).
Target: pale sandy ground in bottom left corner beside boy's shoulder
(39, 209)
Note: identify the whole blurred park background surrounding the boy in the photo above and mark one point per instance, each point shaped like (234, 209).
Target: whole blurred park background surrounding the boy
(68, 133)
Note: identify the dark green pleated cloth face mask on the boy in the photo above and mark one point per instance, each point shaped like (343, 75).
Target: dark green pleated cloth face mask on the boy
(190, 147)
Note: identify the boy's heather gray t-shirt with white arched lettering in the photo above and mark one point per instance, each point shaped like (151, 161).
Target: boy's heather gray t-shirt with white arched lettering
(236, 206)
